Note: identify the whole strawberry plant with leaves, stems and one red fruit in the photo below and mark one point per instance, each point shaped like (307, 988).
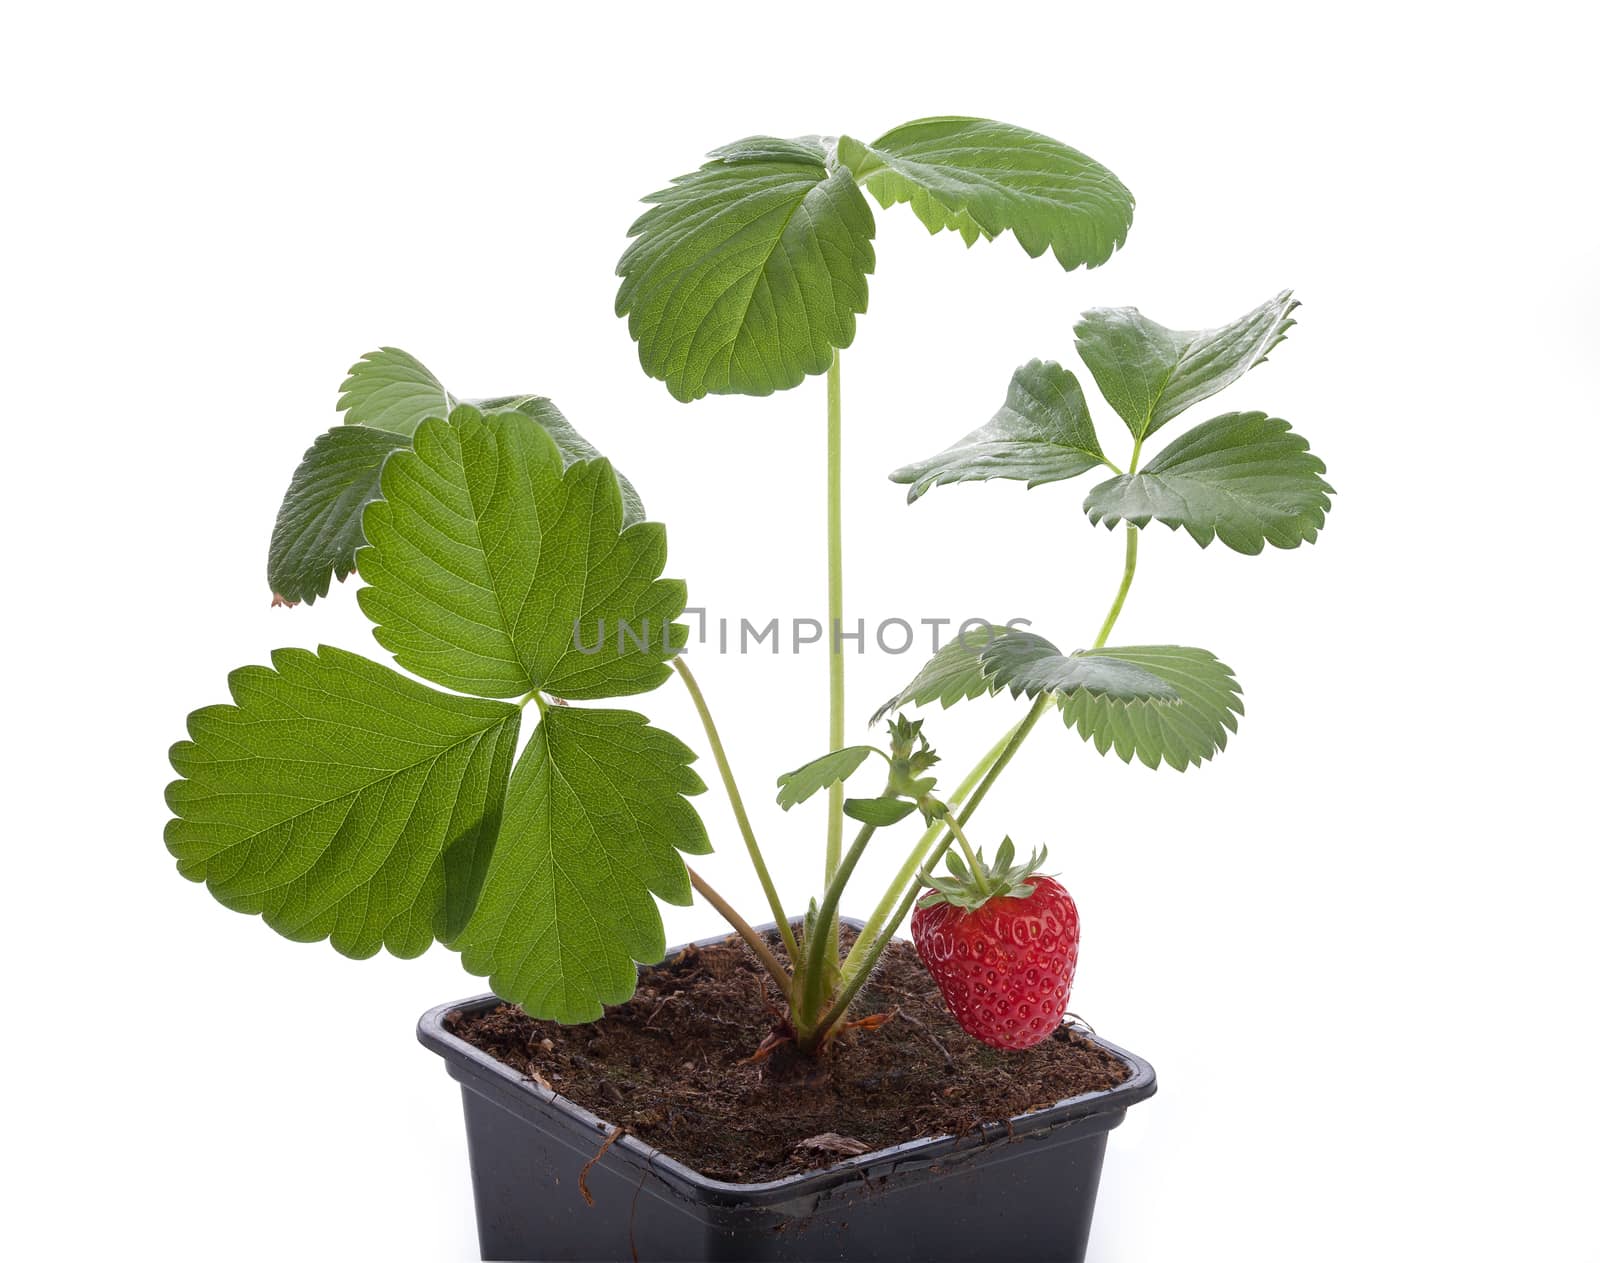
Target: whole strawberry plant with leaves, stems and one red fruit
(508, 566)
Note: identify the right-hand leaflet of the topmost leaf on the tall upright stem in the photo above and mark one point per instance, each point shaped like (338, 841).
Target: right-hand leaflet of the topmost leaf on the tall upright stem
(980, 178)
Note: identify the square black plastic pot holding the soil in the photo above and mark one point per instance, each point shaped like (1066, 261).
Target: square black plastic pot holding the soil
(927, 1200)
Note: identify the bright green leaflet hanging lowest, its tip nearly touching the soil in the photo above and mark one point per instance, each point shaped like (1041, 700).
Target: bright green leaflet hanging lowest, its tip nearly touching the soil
(594, 824)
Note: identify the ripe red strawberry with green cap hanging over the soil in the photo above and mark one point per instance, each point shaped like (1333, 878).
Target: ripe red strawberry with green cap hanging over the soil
(1002, 945)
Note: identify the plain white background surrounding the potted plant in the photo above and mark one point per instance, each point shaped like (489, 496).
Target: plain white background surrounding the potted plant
(1359, 947)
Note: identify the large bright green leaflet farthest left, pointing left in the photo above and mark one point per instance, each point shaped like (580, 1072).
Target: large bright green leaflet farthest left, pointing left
(342, 801)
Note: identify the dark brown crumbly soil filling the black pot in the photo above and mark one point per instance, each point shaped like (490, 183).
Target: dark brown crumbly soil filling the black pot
(671, 1067)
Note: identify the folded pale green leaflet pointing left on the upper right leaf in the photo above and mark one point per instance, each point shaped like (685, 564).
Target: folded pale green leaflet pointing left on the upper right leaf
(1041, 435)
